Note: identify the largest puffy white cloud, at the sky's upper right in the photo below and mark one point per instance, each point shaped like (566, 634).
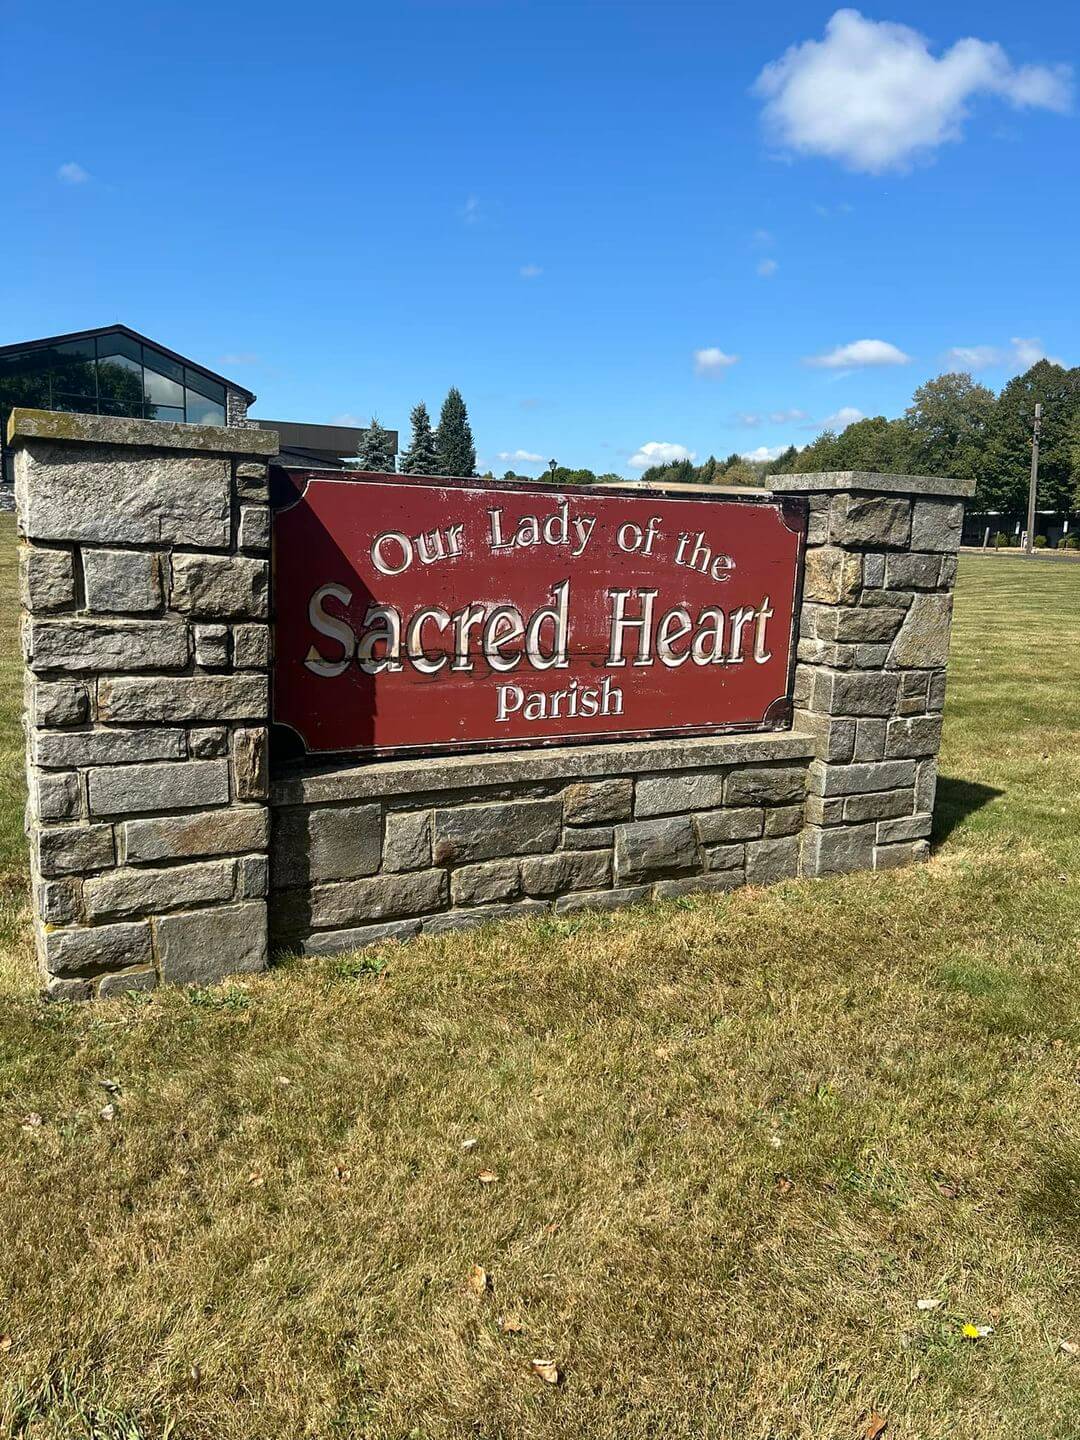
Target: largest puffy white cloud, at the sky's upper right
(872, 96)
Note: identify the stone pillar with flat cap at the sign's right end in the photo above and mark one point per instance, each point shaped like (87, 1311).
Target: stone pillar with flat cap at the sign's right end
(873, 646)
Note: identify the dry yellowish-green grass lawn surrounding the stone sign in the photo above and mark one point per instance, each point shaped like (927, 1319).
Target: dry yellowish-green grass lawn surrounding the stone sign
(711, 1156)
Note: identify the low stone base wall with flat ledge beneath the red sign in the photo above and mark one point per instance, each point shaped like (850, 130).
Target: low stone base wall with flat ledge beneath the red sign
(397, 849)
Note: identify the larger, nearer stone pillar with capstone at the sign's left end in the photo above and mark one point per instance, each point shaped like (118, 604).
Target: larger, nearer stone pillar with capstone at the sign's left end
(145, 581)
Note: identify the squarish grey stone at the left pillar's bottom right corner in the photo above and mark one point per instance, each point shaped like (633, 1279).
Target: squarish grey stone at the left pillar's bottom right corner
(202, 947)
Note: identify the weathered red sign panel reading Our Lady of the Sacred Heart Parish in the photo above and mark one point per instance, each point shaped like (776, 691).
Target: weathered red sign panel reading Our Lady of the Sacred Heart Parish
(428, 614)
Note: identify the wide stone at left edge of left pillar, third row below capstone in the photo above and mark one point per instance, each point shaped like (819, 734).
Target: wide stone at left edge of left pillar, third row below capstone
(107, 646)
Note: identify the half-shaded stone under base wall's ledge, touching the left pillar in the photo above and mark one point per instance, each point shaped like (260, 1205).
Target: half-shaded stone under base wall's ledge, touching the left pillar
(326, 843)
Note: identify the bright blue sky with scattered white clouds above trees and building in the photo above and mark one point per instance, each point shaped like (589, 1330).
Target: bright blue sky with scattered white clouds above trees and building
(591, 217)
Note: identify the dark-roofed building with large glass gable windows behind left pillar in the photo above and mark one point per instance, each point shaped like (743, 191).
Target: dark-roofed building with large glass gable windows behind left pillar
(119, 372)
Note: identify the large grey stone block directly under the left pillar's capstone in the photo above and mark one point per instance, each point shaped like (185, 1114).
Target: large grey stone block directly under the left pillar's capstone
(120, 495)
